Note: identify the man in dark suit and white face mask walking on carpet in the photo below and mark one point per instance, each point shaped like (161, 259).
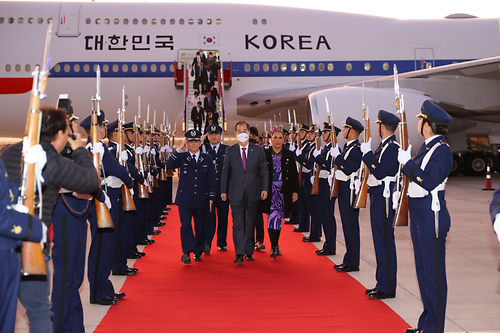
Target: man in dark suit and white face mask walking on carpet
(244, 182)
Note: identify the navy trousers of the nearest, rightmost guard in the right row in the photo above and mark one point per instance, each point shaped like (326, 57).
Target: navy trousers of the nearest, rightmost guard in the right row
(430, 253)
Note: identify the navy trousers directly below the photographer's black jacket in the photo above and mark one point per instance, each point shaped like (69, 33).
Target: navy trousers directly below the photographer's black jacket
(68, 258)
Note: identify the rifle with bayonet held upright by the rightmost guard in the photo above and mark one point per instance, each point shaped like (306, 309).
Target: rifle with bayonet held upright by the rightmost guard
(402, 183)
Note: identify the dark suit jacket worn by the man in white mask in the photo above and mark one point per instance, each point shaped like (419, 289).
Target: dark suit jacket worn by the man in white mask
(253, 179)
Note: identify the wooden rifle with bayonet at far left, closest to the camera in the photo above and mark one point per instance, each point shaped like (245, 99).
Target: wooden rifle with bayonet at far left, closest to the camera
(32, 260)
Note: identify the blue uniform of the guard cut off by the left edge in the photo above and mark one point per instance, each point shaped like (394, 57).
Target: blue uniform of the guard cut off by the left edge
(14, 227)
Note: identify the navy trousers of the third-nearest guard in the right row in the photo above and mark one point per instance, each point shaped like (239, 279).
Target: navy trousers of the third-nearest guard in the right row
(350, 224)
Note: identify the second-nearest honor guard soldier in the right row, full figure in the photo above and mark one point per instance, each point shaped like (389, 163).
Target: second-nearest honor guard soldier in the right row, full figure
(383, 165)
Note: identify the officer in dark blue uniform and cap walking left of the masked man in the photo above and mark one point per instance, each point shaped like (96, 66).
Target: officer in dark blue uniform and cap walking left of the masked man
(220, 209)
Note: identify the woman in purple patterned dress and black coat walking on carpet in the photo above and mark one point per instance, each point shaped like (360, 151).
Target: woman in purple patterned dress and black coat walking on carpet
(284, 185)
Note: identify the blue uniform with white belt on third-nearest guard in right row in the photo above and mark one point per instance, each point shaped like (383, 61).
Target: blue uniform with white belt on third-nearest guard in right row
(348, 163)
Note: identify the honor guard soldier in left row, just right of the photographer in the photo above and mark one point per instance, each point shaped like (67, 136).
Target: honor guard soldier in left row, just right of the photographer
(100, 262)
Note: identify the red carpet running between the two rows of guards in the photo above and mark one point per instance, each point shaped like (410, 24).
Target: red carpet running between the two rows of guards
(297, 292)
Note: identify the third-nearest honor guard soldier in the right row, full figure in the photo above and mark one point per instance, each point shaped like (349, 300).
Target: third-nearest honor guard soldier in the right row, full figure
(348, 163)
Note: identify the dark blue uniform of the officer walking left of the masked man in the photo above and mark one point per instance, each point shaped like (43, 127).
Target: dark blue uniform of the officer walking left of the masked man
(220, 209)
